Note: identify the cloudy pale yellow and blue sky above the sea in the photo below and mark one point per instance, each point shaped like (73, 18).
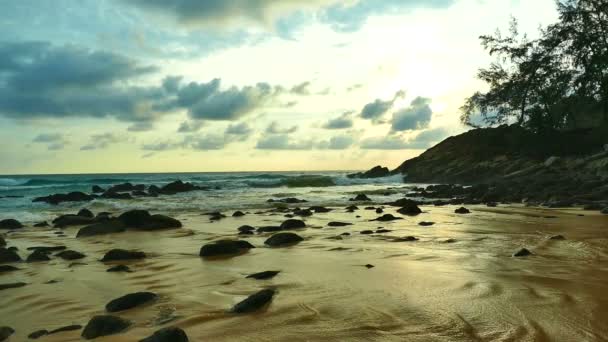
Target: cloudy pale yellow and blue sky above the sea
(113, 86)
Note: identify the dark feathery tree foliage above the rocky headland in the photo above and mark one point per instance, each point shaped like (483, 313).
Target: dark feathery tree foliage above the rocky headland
(557, 81)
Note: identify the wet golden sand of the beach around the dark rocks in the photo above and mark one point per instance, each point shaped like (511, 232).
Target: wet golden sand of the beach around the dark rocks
(428, 290)
